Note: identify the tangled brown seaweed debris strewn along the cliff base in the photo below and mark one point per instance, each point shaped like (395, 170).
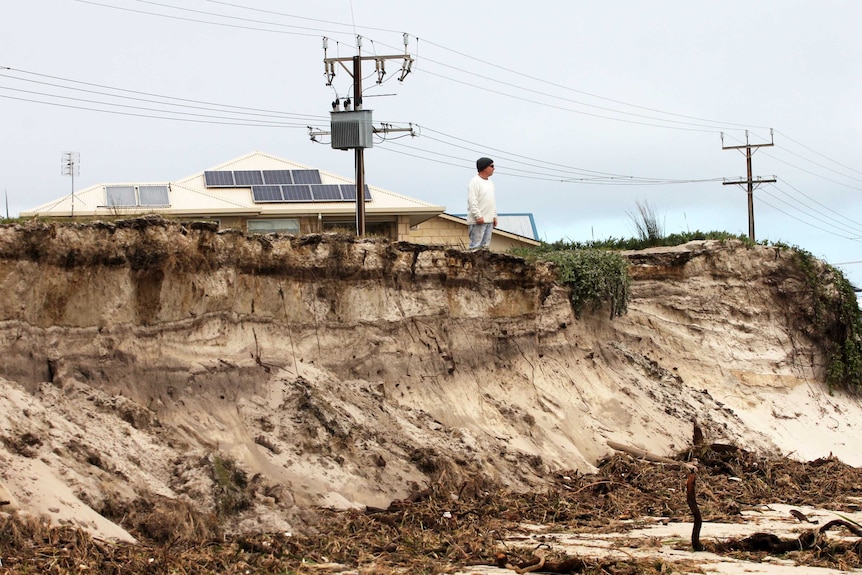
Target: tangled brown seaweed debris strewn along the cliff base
(450, 527)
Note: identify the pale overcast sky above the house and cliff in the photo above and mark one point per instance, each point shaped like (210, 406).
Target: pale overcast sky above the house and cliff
(587, 108)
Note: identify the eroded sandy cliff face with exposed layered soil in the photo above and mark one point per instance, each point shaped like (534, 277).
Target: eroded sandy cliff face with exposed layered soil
(347, 372)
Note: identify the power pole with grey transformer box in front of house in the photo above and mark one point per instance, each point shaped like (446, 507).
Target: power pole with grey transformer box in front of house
(352, 131)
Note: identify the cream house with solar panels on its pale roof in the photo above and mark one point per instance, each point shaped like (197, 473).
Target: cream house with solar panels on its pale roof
(261, 193)
